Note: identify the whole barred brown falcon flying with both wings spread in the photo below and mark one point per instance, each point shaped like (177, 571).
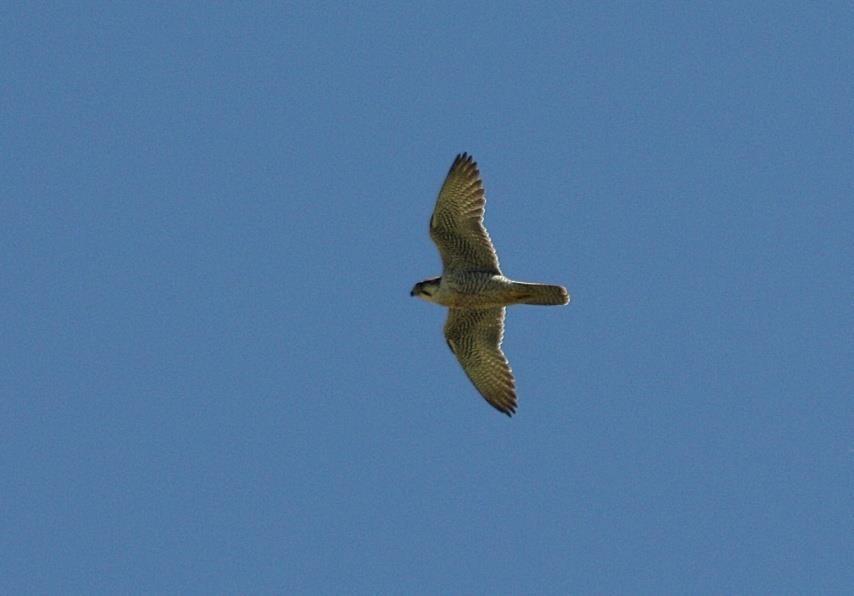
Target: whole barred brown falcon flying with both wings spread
(473, 288)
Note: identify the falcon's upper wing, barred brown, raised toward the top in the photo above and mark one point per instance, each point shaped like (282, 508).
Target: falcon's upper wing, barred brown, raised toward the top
(457, 222)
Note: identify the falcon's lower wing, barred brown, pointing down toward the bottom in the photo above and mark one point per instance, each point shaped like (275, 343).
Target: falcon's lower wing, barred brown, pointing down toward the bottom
(474, 336)
